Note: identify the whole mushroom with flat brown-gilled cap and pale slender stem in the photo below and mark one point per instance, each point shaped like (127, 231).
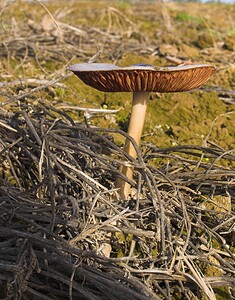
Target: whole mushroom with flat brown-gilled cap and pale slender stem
(140, 79)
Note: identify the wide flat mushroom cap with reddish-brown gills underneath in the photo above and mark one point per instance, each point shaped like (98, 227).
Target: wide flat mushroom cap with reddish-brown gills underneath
(147, 78)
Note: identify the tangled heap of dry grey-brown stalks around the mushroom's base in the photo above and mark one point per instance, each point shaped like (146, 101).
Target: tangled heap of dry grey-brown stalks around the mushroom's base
(57, 187)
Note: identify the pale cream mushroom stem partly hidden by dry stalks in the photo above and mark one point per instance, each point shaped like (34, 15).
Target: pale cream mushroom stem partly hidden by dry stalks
(139, 105)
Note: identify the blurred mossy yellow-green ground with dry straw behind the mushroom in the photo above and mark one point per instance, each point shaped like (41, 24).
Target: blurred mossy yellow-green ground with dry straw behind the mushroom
(39, 42)
